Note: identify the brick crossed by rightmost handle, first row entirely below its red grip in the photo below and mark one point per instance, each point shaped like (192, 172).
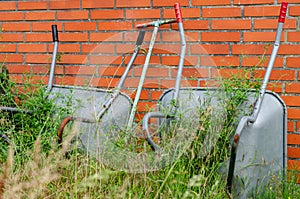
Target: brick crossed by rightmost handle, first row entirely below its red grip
(261, 36)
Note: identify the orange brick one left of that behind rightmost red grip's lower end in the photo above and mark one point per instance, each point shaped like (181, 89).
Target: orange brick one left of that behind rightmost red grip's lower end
(231, 24)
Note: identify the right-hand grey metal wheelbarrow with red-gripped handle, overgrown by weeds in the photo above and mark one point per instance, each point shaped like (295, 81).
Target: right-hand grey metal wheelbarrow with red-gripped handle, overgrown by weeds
(259, 144)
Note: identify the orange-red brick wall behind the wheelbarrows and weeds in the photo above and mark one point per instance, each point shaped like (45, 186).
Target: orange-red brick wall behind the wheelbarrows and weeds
(95, 34)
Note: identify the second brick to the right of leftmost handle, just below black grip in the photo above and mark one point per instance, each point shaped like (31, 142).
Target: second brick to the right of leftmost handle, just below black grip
(98, 48)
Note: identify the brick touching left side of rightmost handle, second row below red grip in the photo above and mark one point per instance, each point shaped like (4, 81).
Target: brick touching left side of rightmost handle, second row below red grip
(250, 49)
